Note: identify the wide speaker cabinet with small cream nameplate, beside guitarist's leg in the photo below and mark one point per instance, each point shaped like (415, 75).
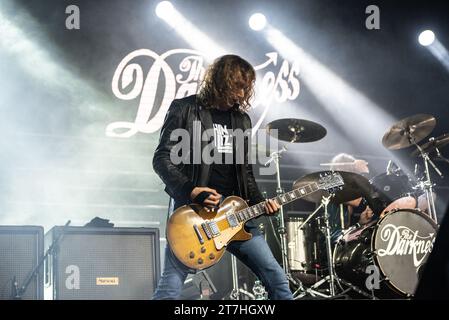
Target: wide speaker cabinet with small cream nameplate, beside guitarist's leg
(103, 263)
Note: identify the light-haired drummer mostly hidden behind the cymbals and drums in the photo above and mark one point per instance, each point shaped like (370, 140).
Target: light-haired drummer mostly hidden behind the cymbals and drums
(342, 216)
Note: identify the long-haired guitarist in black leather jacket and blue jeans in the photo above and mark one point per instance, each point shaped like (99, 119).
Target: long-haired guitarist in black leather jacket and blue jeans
(221, 105)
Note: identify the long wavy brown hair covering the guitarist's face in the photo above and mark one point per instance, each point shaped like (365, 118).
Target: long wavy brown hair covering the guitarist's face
(228, 81)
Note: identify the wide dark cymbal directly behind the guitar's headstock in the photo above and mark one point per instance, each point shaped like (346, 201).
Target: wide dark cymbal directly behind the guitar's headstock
(355, 187)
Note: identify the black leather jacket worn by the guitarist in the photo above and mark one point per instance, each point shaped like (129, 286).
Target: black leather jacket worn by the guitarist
(181, 179)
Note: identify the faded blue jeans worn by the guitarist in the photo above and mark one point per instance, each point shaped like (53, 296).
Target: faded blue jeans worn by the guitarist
(254, 253)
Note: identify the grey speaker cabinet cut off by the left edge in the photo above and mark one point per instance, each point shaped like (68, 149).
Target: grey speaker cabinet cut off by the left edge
(21, 248)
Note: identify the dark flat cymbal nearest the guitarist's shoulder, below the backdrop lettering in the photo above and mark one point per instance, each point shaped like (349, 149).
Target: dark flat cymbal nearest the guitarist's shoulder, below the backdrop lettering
(296, 130)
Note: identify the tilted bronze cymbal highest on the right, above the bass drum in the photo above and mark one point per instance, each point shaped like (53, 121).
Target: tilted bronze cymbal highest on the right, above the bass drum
(408, 131)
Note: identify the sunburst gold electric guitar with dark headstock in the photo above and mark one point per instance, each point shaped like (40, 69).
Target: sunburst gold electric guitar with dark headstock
(198, 238)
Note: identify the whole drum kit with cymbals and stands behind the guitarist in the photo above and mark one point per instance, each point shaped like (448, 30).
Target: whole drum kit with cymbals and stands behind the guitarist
(382, 258)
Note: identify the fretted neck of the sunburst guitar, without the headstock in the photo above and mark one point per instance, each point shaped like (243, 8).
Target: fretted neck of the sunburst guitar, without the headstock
(259, 209)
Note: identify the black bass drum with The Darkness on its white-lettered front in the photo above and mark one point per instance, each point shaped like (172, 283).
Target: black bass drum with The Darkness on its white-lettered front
(395, 248)
